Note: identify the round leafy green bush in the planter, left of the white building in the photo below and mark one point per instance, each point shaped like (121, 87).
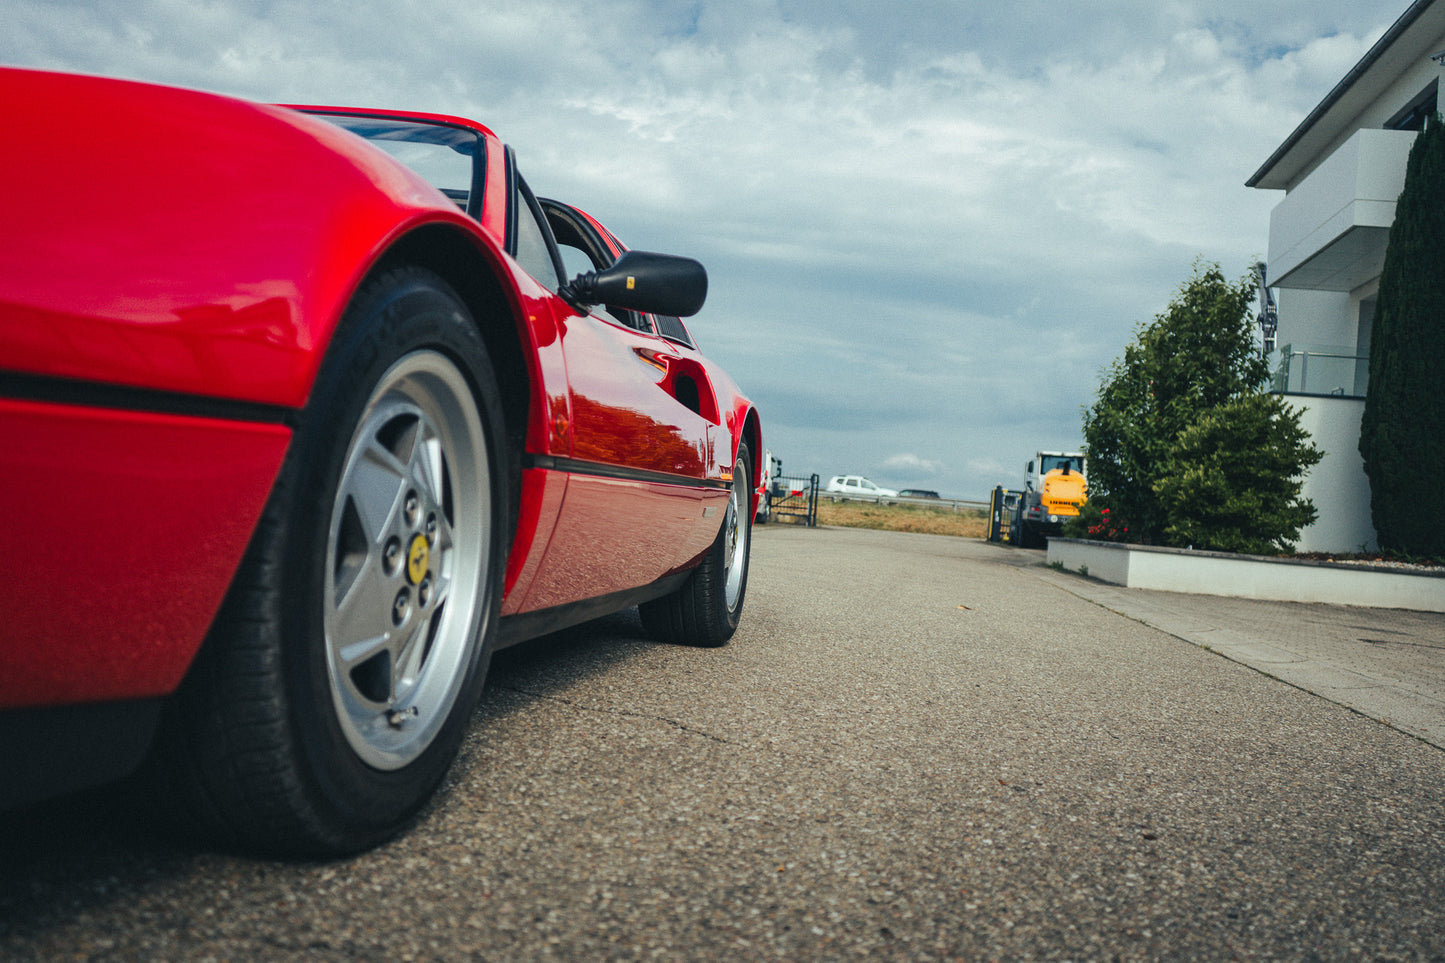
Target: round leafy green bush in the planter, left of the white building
(1184, 446)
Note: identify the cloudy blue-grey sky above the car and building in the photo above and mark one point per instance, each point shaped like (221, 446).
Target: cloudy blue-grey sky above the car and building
(930, 225)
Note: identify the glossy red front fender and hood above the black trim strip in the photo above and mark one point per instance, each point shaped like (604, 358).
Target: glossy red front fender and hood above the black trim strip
(217, 262)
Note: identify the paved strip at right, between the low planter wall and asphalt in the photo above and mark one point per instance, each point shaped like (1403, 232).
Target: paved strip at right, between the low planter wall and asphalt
(1388, 664)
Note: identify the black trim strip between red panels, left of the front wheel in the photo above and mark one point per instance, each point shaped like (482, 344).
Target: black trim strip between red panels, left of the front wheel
(63, 391)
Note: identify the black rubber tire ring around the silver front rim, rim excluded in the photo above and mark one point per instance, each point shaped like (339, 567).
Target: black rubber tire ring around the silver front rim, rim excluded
(394, 317)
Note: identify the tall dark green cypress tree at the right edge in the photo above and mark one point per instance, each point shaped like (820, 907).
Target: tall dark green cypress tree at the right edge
(1402, 432)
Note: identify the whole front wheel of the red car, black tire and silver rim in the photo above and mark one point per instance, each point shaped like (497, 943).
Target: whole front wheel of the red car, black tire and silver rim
(337, 683)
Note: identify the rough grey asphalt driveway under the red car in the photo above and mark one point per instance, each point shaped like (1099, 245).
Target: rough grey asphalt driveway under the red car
(915, 748)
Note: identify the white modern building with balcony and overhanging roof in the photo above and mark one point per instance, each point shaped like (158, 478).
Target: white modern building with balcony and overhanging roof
(1342, 173)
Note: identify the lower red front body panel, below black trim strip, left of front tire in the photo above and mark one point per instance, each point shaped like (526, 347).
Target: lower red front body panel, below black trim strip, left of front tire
(124, 534)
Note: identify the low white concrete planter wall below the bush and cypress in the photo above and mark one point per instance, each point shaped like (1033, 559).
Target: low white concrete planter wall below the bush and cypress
(1251, 576)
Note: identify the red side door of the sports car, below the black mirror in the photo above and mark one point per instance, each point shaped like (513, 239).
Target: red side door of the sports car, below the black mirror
(647, 474)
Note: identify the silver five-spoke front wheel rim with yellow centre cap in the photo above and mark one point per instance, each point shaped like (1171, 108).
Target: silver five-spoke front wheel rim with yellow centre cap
(408, 560)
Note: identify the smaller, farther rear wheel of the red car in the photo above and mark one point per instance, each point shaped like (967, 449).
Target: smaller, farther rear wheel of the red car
(706, 609)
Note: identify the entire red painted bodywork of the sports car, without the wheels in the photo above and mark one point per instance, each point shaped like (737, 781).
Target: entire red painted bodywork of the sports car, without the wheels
(203, 251)
